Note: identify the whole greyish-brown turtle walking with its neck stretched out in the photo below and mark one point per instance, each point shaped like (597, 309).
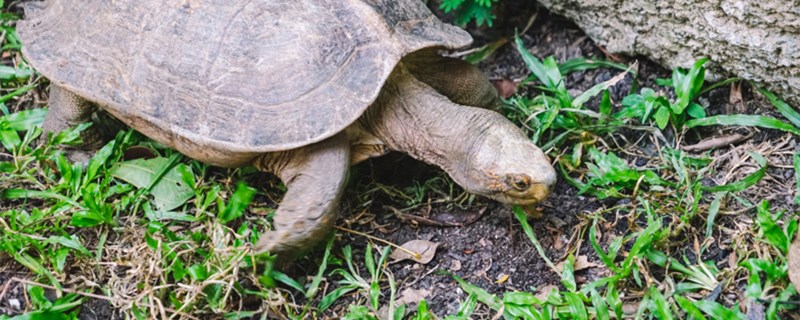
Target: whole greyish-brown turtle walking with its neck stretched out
(302, 89)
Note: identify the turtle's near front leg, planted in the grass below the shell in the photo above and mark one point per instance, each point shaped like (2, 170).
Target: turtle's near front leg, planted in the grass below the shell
(315, 177)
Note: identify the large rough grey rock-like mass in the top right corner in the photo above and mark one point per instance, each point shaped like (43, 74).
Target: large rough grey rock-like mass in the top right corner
(757, 40)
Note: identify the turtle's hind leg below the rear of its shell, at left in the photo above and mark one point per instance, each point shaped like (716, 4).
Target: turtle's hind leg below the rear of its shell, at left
(67, 110)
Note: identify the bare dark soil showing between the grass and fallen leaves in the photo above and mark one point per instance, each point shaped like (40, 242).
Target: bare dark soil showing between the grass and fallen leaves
(494, 247)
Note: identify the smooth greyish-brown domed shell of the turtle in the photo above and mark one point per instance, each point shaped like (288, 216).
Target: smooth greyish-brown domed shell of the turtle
(234, 75)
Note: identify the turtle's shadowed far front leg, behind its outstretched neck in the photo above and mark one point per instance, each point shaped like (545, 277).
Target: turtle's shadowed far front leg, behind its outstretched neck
(458, 80)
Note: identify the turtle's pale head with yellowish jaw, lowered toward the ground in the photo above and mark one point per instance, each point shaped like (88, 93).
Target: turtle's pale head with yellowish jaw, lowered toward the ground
(506, 166)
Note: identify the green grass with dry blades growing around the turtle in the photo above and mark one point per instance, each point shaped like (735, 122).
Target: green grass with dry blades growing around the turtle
(176, 233)
